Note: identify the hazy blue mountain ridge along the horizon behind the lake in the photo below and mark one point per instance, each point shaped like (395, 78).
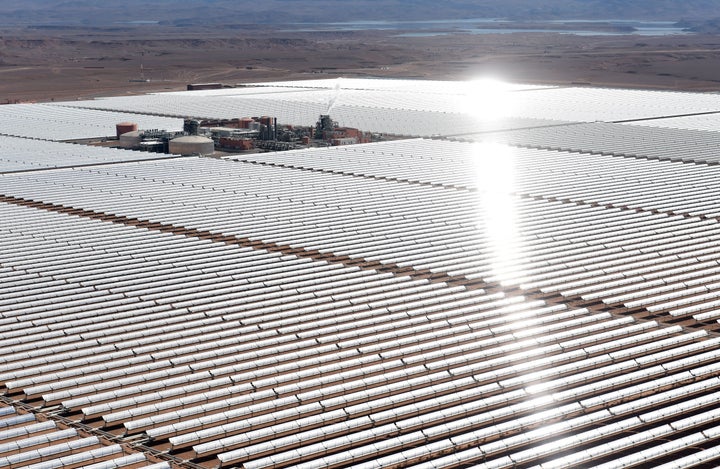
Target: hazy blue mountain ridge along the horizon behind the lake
(228, 12)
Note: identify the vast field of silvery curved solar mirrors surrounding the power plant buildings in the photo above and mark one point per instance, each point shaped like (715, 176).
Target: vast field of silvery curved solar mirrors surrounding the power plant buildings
(537, 285)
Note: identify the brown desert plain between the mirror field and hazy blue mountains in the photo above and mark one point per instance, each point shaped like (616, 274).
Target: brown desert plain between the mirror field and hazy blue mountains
(67, 64)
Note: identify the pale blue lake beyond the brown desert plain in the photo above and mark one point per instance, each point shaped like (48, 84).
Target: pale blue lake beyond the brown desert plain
(498, 26)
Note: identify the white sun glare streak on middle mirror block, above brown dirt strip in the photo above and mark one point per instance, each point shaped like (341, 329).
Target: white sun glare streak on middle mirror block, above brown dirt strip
(494, 171)
